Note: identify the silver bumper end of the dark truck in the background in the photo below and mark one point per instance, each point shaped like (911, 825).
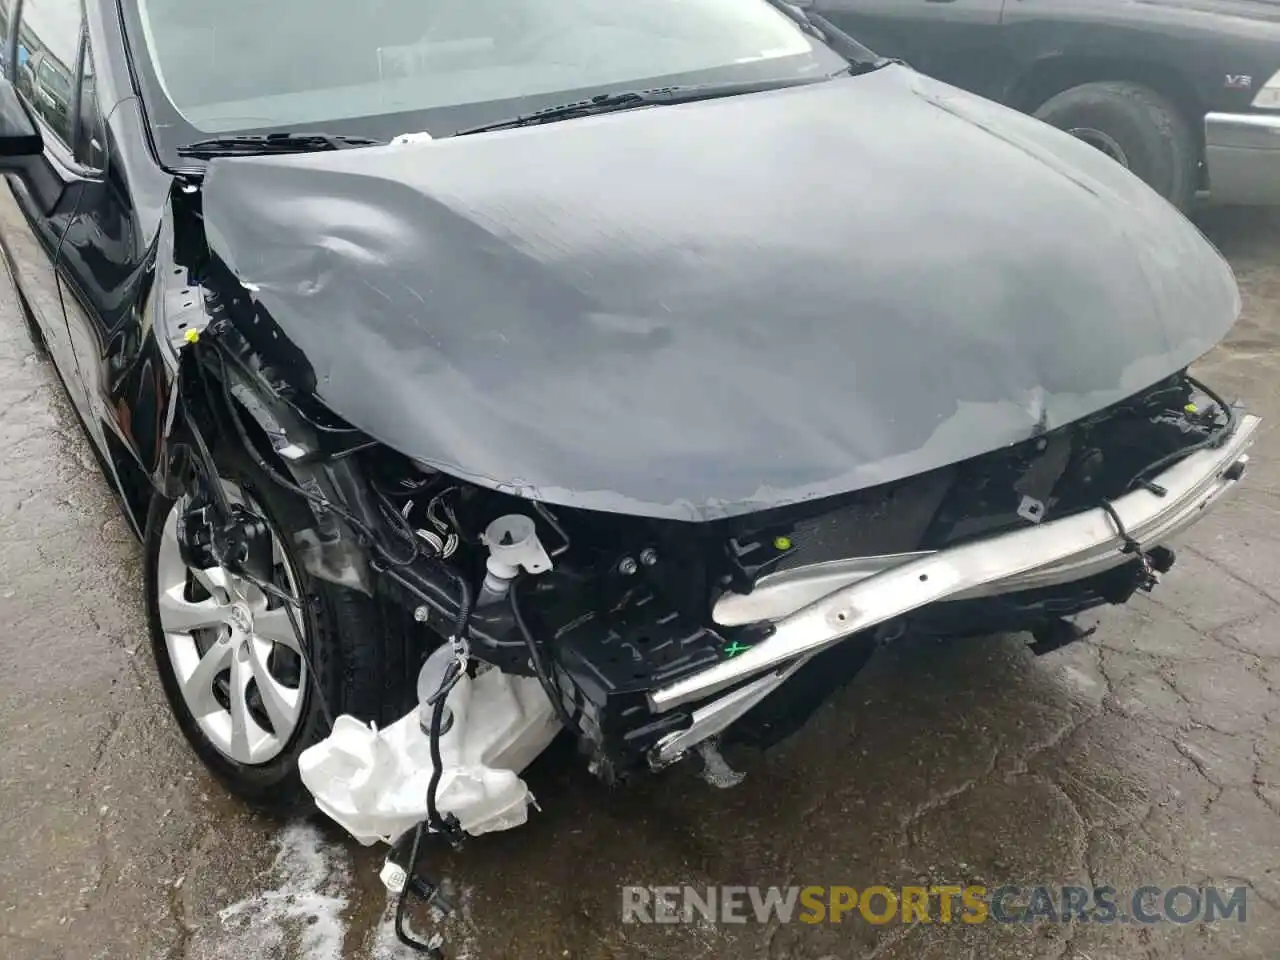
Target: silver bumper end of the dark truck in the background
(1242, 153)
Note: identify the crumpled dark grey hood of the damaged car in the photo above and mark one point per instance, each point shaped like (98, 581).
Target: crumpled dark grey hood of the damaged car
(702, 310)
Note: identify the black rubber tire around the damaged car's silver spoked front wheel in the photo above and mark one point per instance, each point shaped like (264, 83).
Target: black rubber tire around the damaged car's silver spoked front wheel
(364, 657)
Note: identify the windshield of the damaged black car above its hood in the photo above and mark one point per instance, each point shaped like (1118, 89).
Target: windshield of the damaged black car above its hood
(388, 67)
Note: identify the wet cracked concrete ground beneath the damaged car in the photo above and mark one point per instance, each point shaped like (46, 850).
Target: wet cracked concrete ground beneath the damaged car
(1148, 755)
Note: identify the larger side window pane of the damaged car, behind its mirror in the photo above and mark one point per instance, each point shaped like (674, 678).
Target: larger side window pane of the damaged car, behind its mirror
(49, 34)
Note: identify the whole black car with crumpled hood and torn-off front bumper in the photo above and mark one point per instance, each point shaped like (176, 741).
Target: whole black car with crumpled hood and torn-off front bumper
(481, 371)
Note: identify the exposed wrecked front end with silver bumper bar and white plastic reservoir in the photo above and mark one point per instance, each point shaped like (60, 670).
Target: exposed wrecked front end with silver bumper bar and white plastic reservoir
(646, 638)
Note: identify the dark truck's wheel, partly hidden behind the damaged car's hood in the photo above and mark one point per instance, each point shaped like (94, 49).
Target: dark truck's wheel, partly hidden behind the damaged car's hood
(1150, 131)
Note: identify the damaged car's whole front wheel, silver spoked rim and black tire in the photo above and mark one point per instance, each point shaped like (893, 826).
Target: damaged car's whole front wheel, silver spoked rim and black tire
(231, 662)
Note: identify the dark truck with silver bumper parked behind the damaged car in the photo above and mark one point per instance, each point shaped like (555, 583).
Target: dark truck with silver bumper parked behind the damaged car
(1183, 93)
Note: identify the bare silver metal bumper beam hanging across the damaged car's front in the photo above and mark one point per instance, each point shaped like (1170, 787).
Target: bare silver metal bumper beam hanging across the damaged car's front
(1055, 552)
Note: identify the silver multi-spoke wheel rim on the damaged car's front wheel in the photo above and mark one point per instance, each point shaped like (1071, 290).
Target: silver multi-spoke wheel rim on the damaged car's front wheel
(225, 648)
